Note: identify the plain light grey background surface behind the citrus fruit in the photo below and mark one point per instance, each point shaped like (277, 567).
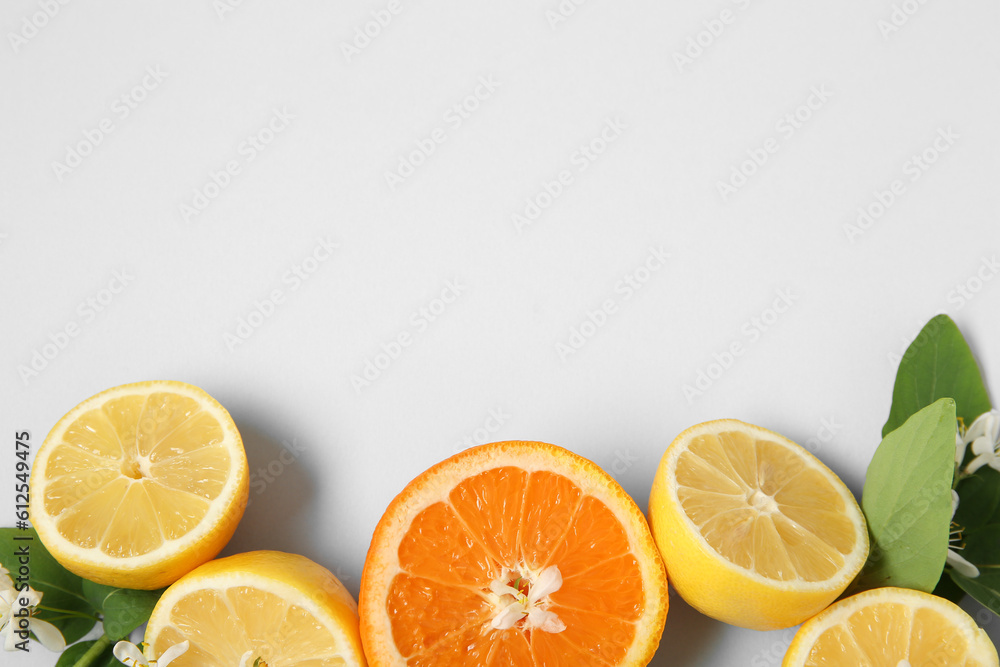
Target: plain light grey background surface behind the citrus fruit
(485, 362)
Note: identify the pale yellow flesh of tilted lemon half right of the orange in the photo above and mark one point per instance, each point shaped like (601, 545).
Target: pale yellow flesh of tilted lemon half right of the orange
(796, 531)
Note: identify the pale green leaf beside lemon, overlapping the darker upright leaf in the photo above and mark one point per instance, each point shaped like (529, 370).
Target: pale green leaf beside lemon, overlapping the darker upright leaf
(907, 501)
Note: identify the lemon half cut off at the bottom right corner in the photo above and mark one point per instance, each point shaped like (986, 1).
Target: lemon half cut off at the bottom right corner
(891, 627)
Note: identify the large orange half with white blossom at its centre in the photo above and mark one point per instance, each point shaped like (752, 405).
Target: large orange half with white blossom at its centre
(512, 553)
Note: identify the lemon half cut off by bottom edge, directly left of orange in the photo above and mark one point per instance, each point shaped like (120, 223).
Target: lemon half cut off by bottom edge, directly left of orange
(282, 608)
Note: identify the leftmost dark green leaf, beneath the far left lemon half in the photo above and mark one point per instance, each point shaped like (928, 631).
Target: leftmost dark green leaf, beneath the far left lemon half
(62, 591)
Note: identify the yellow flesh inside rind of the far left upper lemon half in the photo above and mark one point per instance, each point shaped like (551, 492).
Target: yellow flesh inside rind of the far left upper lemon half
(121, 481)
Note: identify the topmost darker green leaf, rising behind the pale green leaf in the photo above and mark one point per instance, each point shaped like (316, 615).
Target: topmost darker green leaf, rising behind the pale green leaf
(938, 364)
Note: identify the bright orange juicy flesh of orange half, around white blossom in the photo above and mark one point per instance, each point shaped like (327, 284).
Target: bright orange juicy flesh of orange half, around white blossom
(509, 519)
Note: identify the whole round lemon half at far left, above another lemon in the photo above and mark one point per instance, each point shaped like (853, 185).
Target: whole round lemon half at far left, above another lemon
(139, 484)
